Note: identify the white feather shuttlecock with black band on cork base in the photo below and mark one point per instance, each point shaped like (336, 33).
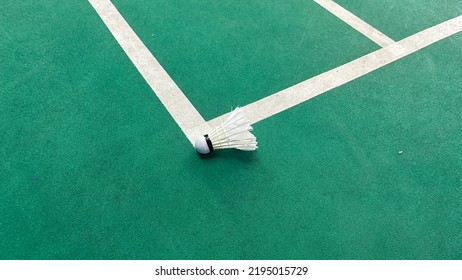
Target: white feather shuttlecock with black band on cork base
(233, 133)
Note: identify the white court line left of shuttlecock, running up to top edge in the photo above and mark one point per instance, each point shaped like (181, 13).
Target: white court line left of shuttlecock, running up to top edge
(171, 96)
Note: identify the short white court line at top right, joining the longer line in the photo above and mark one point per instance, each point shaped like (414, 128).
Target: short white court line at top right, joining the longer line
(355, 22)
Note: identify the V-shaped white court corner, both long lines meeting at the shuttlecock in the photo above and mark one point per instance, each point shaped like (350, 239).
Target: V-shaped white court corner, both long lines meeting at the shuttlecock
(192, 123)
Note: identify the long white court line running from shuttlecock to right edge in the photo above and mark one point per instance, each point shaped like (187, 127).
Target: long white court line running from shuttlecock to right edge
(331, 79)
